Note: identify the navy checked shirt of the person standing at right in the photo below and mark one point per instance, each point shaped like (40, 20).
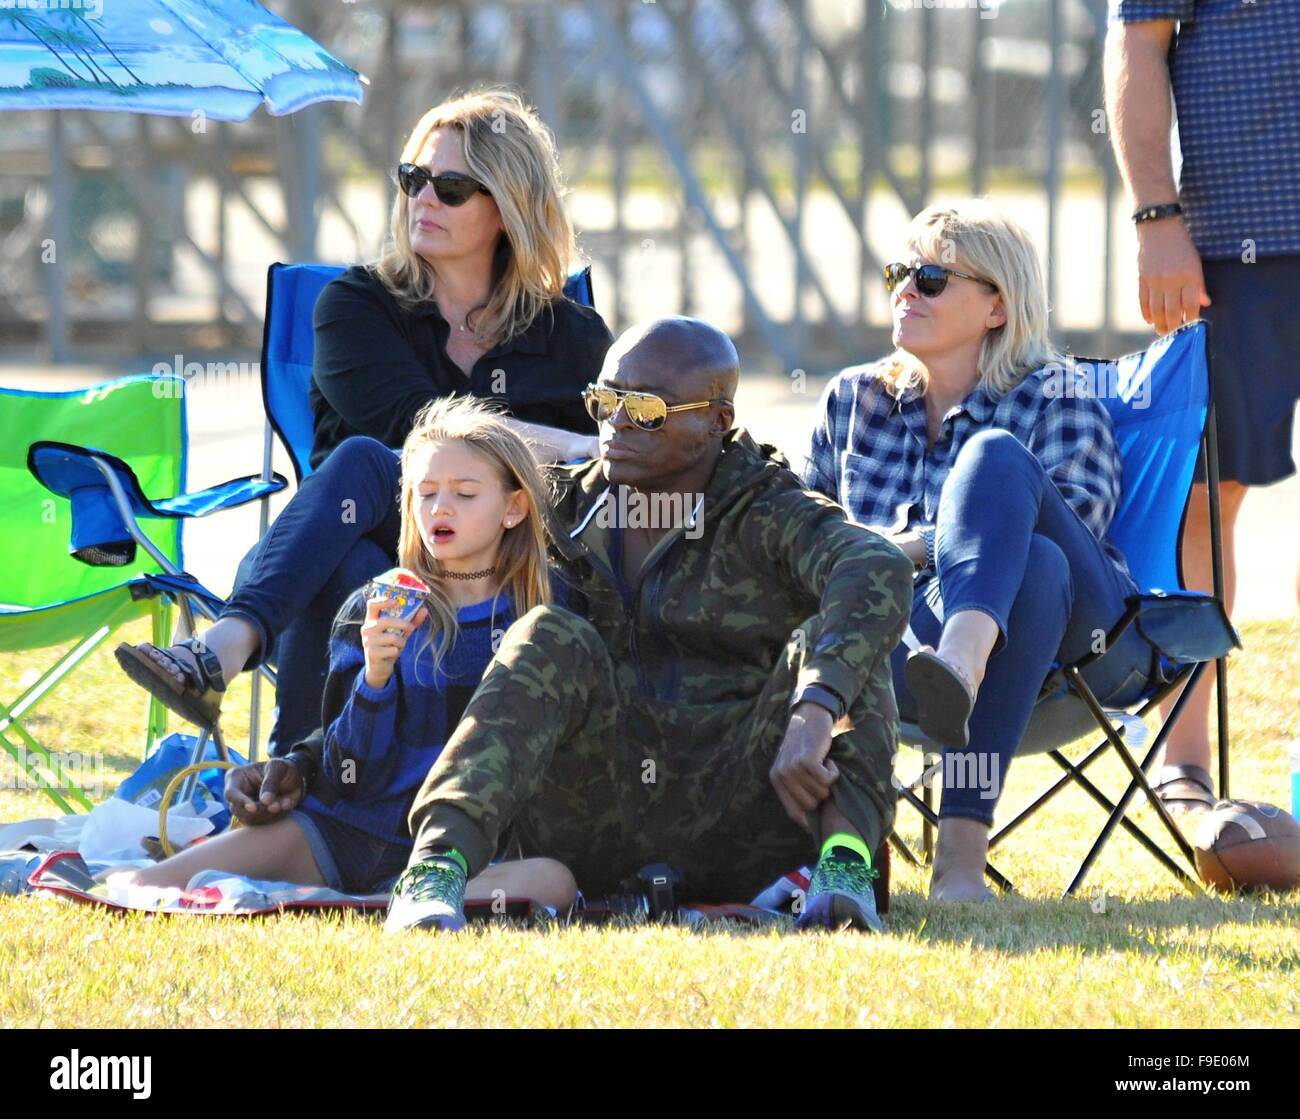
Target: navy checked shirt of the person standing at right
(1236, 71)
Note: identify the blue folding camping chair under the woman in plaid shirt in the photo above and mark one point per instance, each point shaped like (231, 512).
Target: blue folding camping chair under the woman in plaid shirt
(1160, 409)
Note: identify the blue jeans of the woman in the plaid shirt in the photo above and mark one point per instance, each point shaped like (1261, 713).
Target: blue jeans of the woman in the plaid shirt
(1011, 547)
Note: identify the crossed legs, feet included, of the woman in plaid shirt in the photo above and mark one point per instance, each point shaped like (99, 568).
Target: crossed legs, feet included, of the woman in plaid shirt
(1033, 585)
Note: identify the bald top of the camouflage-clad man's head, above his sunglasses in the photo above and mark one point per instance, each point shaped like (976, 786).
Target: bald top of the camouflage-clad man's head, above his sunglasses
(695, 359)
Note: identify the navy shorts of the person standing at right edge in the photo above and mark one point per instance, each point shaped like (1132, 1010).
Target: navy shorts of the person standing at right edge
(1255, 366)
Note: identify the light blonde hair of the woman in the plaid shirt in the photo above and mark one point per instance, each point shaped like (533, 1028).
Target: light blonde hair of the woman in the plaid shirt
(976, 237)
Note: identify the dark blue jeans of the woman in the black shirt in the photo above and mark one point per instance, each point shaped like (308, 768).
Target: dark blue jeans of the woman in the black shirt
(337, 532)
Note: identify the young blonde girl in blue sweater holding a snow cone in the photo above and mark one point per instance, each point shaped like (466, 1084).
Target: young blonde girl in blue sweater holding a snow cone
(397, 688)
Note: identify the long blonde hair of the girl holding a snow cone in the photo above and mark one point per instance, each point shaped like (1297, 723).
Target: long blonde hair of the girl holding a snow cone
(522, 570)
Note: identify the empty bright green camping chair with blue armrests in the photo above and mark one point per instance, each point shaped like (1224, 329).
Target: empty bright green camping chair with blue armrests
(81, 491)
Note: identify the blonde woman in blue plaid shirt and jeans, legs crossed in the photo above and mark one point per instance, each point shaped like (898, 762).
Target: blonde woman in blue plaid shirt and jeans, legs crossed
(978, 450)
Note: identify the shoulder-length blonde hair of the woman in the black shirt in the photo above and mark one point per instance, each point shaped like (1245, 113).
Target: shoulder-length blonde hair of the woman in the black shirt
(513, 154)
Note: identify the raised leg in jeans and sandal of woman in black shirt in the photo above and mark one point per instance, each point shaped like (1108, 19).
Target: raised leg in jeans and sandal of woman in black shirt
(353, 497)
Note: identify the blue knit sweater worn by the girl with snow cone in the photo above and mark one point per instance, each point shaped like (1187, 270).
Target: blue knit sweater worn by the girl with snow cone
(380, 744)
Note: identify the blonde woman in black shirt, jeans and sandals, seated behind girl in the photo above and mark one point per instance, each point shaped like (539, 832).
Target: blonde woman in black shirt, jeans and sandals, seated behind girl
(467, 300)
